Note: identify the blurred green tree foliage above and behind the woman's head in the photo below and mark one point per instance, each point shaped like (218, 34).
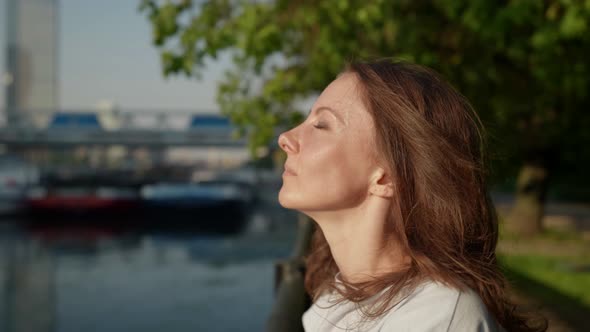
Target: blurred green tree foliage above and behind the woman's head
(524, 64)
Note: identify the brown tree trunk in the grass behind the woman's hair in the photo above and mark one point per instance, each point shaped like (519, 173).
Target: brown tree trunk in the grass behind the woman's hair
(526, 215)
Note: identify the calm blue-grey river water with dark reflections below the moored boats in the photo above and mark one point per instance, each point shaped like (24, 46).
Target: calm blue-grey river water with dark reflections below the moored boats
(99, 279)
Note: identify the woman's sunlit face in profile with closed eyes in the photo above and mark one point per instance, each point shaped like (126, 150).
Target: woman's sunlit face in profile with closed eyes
(330, 154)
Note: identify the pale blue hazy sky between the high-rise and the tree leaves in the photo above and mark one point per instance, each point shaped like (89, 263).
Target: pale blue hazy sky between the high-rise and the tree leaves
(106, 54)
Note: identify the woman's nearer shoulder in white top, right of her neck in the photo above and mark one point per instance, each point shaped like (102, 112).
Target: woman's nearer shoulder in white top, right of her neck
(434, 307)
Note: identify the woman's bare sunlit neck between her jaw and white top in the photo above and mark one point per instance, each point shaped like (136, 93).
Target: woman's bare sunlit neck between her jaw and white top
(358, 241)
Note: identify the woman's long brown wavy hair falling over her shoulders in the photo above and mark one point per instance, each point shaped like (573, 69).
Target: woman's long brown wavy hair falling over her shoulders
(431, 140)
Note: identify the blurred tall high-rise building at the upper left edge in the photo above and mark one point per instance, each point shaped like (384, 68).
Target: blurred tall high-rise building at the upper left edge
(31, 60)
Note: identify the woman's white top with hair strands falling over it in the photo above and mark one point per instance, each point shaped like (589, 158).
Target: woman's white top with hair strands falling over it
(431, 307)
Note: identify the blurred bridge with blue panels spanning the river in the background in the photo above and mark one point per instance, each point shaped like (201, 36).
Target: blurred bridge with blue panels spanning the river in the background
(152, 129)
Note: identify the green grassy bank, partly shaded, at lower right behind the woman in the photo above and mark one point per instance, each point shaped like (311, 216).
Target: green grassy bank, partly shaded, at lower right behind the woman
(552, 271)
